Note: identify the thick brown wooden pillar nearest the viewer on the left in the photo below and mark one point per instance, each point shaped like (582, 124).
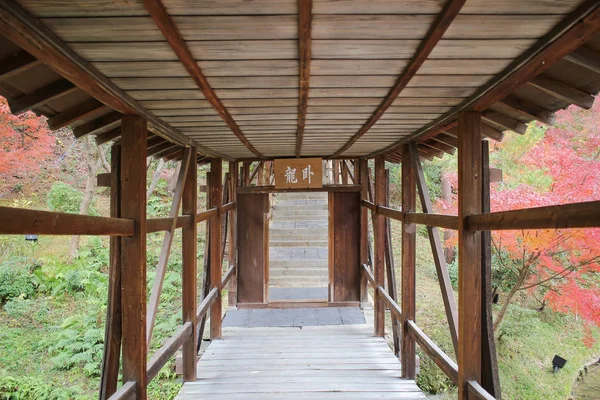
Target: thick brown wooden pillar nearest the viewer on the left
(133, 251)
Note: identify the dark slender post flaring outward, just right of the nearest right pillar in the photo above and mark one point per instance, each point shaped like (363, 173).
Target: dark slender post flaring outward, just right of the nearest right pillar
(490, 379)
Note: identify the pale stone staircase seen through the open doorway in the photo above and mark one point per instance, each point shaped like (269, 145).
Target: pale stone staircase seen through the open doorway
(298, 239)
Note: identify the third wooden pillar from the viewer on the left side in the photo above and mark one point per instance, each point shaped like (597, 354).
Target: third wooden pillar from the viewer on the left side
(216, 270)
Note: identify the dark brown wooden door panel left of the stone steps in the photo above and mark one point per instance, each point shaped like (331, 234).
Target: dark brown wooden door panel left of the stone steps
(253, 247)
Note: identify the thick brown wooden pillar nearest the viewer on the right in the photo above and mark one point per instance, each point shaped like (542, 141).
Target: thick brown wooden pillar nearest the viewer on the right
(469, 251)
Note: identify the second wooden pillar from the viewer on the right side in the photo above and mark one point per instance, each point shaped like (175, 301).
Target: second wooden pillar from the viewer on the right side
(409, 242)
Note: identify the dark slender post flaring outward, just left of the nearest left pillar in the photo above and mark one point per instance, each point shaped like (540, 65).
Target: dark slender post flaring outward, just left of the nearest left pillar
(112, 336)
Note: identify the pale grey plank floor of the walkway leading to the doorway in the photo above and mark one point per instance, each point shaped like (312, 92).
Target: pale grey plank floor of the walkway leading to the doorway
(317, 363)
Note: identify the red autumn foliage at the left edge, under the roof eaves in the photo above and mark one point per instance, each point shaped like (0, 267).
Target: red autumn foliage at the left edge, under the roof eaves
(25, 142)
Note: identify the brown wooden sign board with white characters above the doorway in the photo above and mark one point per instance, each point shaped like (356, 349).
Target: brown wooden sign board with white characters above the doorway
(298, 173)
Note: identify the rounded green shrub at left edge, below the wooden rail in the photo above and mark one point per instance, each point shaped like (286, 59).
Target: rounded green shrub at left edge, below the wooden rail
(16, 279)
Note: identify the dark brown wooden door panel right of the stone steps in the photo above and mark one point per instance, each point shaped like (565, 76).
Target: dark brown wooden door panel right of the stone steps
(344, 246)
